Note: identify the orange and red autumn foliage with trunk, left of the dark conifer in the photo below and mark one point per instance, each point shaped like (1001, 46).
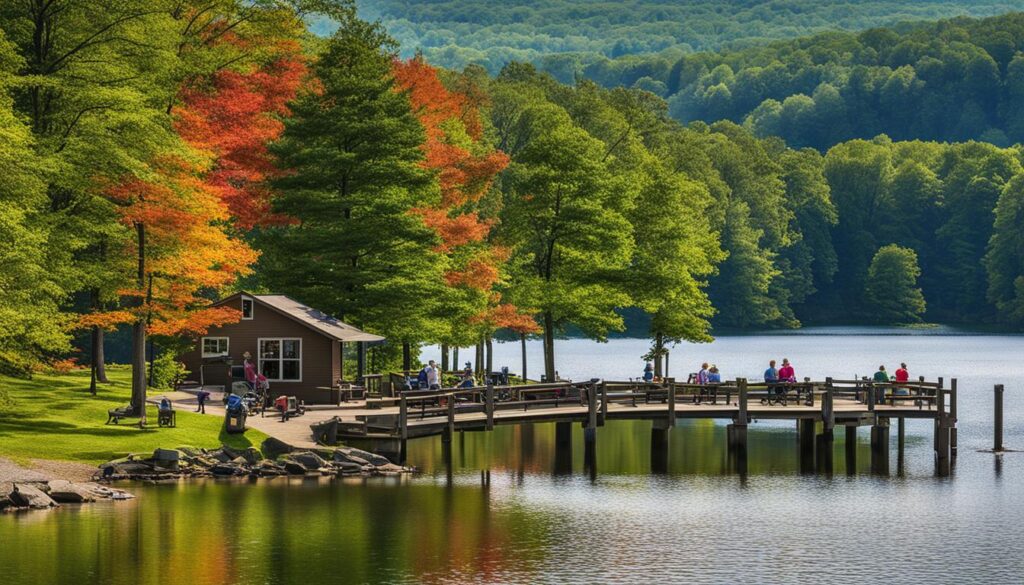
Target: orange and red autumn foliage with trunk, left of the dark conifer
(204, 186)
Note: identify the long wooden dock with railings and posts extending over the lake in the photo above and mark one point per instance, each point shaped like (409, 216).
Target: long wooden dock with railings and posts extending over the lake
(817, 407)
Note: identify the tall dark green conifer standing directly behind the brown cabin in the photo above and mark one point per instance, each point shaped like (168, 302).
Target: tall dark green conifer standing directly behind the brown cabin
(354, 244)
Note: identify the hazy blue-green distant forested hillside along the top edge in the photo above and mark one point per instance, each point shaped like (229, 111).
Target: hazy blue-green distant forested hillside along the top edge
(564, 35)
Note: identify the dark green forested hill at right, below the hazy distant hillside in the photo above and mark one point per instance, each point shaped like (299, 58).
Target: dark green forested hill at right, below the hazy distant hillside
(953, 80)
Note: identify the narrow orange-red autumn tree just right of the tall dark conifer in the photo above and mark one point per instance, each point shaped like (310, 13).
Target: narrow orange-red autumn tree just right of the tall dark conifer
(466, 166)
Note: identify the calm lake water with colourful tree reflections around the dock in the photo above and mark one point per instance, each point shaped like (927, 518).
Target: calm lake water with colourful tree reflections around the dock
(547, 520)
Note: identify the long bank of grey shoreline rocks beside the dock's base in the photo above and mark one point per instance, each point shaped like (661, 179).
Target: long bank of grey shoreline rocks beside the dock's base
(274, 459)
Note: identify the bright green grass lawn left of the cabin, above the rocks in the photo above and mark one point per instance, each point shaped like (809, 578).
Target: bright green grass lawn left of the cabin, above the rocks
(56, 417)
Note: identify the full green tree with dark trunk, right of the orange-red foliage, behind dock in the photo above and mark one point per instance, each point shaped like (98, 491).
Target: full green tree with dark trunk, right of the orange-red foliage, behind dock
(565, 224)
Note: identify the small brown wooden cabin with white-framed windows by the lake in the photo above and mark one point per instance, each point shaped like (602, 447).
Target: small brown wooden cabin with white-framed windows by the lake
(297, 348)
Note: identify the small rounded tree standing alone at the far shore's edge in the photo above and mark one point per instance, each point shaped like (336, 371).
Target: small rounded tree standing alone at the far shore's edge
(891, 289)
